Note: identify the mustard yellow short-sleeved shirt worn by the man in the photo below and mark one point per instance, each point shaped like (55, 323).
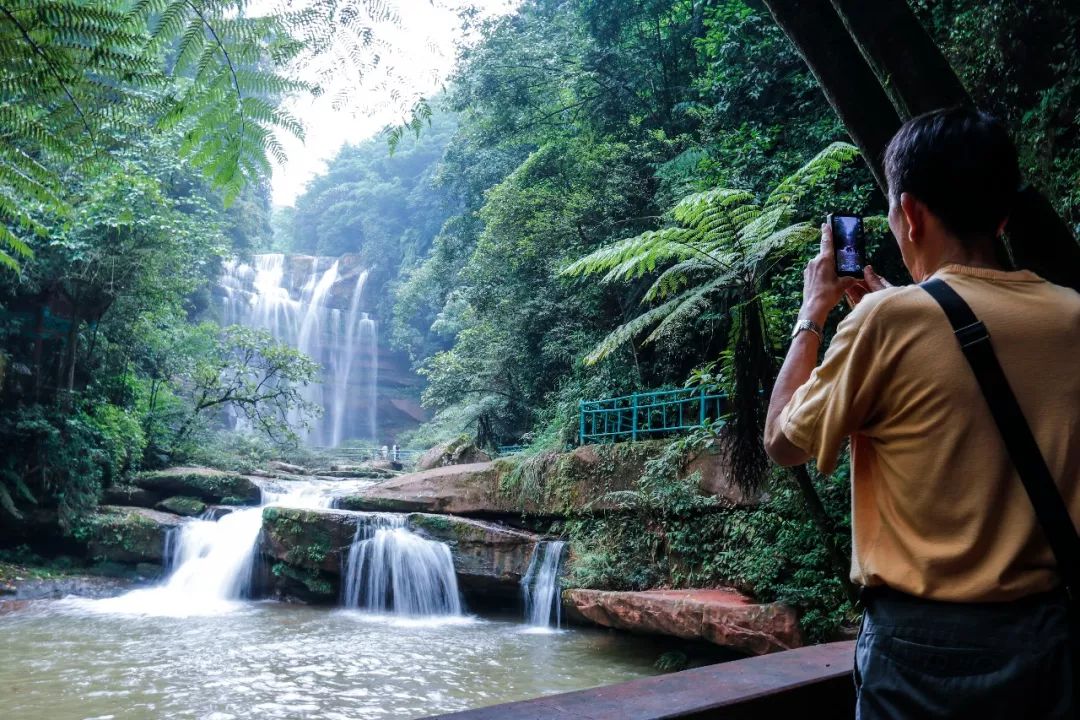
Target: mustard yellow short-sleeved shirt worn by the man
(938, 508)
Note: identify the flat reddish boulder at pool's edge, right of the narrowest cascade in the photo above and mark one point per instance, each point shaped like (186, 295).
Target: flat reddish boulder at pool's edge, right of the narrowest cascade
(724, 618)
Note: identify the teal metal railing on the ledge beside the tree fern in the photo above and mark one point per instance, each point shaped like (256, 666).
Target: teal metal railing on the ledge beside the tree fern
(649, 415)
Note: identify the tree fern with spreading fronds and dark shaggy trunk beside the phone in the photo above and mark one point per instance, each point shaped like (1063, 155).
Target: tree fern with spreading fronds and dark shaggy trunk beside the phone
(721, 246)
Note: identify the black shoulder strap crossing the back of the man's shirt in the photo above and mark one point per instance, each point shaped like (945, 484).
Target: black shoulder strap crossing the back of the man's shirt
(1021, 444)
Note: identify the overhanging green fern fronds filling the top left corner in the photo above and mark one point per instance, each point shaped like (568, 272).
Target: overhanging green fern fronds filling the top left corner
(80, 79)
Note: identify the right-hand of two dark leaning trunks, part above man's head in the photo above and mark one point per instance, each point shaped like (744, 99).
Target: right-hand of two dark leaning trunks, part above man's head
(913, 72)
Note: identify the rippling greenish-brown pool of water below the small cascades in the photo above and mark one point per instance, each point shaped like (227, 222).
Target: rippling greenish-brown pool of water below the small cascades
(77, 660)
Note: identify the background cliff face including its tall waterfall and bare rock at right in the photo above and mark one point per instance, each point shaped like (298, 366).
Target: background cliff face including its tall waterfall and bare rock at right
(326, 308)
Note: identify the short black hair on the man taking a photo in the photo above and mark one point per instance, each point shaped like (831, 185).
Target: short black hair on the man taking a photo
(962, 164)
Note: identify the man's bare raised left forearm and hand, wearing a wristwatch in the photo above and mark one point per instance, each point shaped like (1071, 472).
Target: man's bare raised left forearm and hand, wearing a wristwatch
(821, 291)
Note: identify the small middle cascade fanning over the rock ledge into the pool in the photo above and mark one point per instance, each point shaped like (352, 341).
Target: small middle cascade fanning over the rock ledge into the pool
(390, 569)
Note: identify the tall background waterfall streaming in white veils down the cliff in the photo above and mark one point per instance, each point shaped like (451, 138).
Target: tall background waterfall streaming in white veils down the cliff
(265, 295)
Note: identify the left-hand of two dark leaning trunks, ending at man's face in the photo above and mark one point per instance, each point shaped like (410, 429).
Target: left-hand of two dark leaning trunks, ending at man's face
(849, 84)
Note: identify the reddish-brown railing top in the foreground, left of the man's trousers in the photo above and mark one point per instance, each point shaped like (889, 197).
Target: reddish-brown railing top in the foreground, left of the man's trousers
(814, 683)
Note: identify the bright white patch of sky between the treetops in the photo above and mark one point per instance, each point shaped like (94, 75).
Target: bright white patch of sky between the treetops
(417, 53)
